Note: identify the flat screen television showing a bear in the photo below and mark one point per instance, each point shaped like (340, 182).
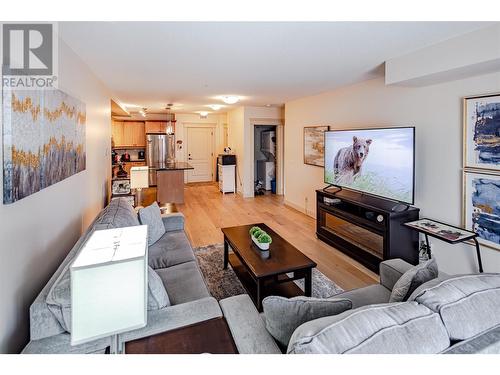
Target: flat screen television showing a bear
(377, 161)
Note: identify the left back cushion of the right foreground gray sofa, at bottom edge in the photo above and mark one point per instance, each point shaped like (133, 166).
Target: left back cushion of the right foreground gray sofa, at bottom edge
(404, 327)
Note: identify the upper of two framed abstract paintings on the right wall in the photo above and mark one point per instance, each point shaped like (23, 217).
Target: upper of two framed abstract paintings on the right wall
(482, 132)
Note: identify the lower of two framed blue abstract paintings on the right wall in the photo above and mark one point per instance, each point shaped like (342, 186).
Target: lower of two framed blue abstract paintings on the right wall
(481, 207)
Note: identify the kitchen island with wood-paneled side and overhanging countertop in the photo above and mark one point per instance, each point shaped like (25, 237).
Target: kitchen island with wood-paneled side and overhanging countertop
(170, 182)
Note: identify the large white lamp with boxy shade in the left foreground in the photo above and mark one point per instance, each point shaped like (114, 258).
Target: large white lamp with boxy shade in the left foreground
(109, 287)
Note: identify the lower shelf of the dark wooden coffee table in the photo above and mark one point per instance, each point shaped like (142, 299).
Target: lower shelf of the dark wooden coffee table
(284, 287)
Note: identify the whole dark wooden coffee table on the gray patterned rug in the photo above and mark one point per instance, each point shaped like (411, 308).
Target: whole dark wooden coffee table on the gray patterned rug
(264, 273)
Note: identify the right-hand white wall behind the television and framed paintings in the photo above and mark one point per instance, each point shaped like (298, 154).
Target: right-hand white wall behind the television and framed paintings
(435, 111)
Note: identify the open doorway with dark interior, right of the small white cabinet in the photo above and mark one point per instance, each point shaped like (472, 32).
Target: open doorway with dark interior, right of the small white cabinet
(265, 137)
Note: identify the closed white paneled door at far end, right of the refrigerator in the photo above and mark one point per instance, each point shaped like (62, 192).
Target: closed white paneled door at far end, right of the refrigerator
(200, 154)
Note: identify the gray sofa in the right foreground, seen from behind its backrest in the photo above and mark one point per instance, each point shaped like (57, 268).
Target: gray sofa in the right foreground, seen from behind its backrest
(459, 314)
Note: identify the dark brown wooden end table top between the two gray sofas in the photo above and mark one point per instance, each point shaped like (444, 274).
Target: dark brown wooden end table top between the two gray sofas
(209, 336)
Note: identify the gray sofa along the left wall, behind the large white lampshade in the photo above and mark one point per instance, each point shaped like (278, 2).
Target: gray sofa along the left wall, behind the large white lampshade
(171, 257)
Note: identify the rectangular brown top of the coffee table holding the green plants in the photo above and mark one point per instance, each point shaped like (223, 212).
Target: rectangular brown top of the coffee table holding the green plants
(283, 256)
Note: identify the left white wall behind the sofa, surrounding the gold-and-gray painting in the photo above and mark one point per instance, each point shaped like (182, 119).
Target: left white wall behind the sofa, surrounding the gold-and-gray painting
(37, 232)
